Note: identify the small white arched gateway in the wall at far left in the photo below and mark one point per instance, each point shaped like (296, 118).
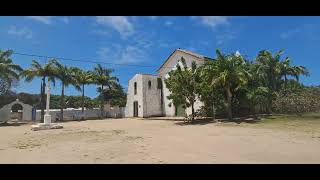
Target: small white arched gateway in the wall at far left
(5, 111)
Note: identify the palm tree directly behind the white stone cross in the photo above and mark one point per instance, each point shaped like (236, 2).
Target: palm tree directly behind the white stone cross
(45, 71)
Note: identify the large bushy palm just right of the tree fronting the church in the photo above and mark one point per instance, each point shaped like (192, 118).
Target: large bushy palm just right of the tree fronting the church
(227, 73)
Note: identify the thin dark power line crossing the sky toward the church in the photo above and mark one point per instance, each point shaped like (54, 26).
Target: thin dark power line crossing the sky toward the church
(85, 61)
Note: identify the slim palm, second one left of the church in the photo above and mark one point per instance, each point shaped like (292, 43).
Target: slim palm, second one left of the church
(82, 78)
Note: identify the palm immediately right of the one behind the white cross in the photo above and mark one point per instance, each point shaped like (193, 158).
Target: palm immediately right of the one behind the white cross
(65, 75)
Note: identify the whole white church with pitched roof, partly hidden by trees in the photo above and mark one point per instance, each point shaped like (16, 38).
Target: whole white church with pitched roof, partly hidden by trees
(147, 94)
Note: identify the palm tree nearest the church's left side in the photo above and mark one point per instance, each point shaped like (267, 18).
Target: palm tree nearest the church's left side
(102, 77)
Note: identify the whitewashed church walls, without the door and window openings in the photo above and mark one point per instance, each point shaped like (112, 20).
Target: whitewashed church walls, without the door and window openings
(149, 100)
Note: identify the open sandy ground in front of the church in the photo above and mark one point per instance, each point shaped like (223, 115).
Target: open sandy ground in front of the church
(155, 141)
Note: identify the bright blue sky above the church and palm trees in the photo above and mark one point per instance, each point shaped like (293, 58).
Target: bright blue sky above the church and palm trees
(149, 40)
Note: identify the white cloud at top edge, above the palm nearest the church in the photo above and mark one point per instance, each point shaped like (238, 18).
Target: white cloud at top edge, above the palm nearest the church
(120, 23)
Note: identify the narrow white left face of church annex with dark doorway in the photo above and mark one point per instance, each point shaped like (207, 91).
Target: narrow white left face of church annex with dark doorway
(131, 97)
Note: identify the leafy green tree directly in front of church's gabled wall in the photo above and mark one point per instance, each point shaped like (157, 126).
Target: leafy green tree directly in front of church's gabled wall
(182, 83)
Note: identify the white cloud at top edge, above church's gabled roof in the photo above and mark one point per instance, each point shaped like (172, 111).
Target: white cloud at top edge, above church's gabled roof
(211, 21)
